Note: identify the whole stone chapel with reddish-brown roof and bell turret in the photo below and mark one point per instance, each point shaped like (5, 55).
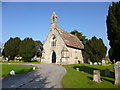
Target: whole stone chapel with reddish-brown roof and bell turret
(61, 47)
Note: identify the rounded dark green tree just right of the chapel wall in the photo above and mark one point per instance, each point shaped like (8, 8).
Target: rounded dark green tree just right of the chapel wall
(95, 49)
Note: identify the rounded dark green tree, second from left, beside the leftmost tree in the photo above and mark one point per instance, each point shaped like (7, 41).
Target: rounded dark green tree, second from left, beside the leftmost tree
(27, 49)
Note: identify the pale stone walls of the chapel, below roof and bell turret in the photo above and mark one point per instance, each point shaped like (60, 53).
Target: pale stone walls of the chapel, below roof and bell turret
(75, 55)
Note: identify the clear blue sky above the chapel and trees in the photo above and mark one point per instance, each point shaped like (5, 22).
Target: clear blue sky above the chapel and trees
(32, 19)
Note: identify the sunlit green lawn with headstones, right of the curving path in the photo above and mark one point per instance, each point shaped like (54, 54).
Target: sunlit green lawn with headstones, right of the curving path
(84, 77)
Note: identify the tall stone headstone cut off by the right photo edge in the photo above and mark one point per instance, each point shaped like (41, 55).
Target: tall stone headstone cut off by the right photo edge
(117, 72)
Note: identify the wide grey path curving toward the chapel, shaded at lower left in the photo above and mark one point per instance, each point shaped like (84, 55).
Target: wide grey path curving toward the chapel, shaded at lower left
(47, 76)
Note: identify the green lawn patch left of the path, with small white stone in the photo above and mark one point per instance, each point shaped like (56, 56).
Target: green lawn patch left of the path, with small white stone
(17, 68)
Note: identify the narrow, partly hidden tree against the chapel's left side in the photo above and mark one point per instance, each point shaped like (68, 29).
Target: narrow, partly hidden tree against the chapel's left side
(39, 47)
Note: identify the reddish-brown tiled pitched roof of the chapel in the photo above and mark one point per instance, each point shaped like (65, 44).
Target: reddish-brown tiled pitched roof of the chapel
(70, 40)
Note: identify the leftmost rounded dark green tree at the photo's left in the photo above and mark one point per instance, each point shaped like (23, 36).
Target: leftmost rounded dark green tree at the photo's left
(11, 48)
